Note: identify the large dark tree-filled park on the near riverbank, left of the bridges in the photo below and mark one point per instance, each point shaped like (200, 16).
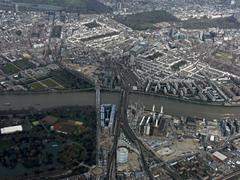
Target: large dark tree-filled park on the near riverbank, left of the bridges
(40, 150)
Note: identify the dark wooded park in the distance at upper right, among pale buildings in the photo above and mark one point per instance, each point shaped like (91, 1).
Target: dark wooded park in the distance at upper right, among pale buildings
(146, 20)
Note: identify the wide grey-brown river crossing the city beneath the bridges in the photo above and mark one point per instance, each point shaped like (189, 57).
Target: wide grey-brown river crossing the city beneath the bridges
(171, 106)
